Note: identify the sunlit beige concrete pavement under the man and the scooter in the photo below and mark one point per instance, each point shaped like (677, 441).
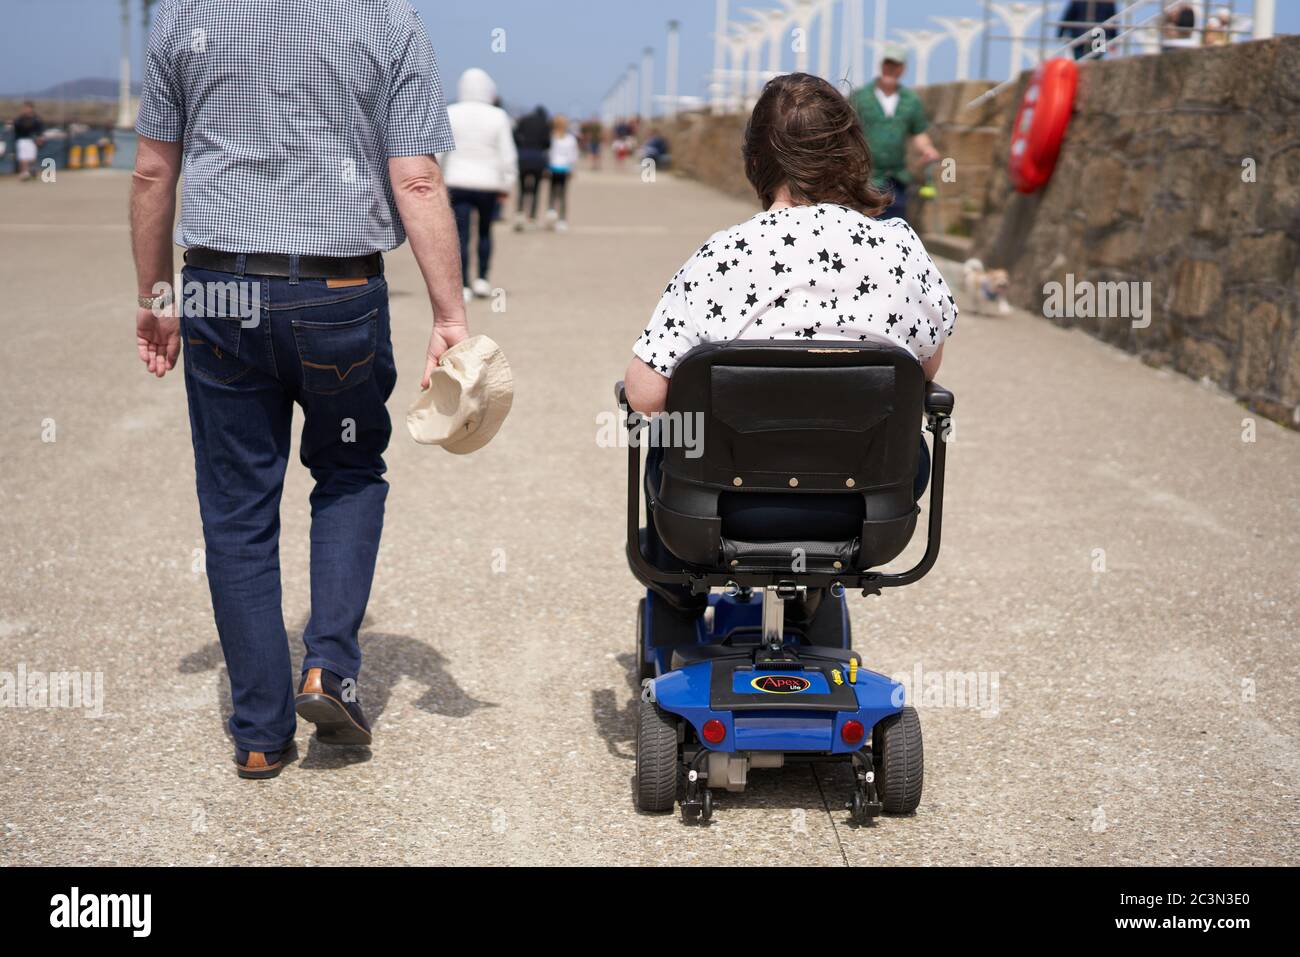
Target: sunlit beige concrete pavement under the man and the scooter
(1119, 577)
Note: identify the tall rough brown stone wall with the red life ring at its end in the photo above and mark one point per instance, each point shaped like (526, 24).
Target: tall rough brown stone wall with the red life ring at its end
(1181, 171)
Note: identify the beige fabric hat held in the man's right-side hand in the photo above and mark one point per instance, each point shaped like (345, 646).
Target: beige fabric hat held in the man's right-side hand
(469, 399)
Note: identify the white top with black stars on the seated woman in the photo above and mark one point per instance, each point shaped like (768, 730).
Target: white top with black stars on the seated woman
(816, 272)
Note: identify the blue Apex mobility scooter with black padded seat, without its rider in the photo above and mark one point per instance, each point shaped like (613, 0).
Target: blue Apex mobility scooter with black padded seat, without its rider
(799, 484)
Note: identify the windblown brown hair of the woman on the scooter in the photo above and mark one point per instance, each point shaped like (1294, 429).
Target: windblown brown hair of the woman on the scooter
(805, 136)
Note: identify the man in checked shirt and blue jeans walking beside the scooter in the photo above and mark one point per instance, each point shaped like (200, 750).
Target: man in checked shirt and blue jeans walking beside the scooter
(309, 131)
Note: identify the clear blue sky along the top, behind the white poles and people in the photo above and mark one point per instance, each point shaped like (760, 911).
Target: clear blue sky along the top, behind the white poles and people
(564, 54)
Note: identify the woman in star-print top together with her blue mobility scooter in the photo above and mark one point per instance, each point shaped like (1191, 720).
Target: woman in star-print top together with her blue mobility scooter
(814, 267)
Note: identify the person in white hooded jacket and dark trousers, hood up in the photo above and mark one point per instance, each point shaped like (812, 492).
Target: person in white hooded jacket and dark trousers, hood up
(482, 171)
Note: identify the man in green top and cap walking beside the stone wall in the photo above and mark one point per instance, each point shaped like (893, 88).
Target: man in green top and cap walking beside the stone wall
(891, 116)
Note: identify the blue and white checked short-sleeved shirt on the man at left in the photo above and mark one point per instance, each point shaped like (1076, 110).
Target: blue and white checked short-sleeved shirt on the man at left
(289, 111)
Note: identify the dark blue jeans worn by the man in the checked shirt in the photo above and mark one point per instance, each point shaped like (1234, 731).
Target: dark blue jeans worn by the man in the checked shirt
(330, 352)
